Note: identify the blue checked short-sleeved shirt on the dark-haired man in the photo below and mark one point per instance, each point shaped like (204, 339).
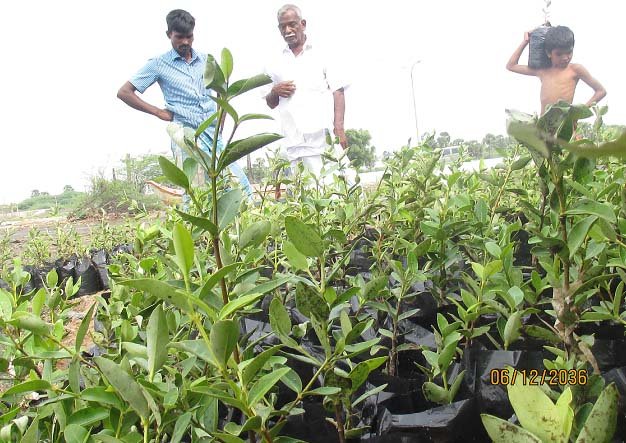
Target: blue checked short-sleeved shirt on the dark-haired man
(182, 84)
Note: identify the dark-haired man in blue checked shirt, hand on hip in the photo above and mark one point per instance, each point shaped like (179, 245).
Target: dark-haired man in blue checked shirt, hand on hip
(179, 73)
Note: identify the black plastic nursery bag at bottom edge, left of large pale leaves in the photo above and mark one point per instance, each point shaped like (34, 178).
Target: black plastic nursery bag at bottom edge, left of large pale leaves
(456, 422)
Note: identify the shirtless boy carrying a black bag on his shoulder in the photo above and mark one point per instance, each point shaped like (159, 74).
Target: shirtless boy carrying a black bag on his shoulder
(558, 82)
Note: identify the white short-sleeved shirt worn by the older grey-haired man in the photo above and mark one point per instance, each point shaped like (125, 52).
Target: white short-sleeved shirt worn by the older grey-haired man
(310, 110)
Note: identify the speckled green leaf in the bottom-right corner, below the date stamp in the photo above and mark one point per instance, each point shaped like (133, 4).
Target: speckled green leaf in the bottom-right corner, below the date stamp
(600, 425)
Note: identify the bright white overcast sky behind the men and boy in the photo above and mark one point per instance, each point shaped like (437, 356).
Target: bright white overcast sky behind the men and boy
(63, 123)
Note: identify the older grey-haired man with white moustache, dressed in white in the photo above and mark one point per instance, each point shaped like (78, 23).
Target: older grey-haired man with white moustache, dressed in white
(305, 89)
